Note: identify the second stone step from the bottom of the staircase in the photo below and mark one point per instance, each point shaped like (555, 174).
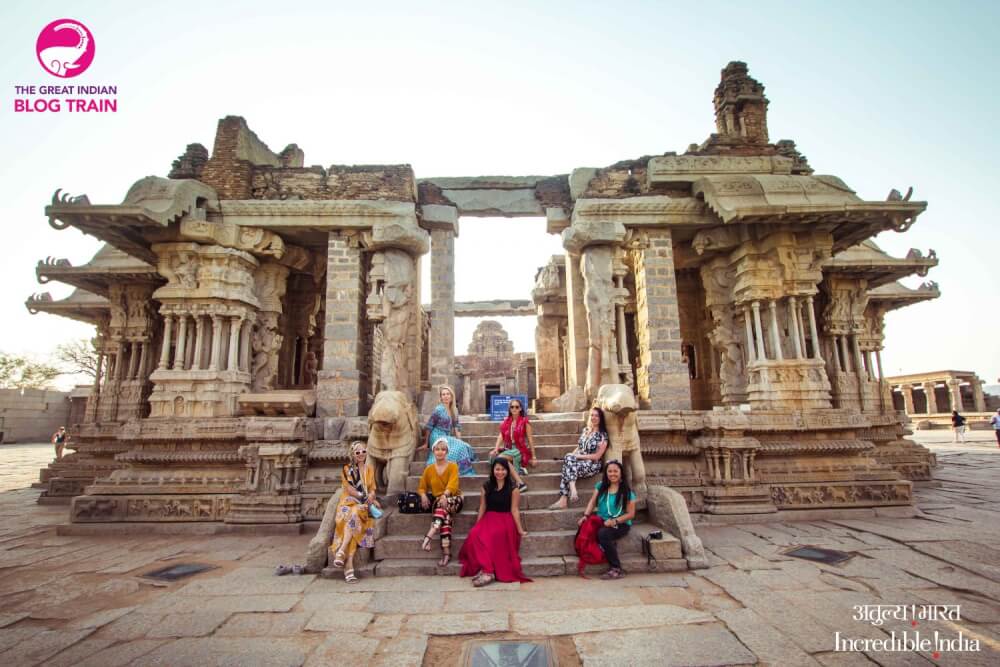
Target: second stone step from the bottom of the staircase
(543, 543)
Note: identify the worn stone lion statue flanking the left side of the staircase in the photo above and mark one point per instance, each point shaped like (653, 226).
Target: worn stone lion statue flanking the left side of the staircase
(393, 433)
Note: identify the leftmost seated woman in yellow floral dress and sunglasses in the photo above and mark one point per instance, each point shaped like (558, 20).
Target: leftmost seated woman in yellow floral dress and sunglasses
(354, 525)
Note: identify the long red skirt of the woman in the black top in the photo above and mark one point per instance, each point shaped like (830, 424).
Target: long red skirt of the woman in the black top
(492, 546)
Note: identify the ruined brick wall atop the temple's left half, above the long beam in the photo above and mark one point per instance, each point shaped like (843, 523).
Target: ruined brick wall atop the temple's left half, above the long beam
(385, 182)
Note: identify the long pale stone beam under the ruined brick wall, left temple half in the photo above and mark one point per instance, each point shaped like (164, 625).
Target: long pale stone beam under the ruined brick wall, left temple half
(323, 215)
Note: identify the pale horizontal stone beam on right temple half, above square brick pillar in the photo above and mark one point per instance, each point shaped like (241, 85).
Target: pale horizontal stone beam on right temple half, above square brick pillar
(645, 211)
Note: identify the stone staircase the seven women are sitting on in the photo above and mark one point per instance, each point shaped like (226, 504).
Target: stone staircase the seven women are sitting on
(548, 548)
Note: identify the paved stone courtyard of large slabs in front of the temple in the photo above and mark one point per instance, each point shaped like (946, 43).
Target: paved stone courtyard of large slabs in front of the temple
(80, 600)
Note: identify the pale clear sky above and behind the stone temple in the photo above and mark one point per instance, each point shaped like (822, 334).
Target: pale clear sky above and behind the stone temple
(882, 94)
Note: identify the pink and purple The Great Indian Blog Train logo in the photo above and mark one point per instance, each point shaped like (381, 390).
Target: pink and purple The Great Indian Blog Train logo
(65, 49)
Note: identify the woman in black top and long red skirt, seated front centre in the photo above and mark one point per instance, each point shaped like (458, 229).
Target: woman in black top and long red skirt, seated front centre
(490, 551)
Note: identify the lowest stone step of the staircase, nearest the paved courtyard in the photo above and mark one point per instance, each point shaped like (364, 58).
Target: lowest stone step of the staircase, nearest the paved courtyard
(533, 567)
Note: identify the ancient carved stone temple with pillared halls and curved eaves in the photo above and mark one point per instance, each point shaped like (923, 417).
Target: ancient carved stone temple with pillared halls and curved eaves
(254, 315)
